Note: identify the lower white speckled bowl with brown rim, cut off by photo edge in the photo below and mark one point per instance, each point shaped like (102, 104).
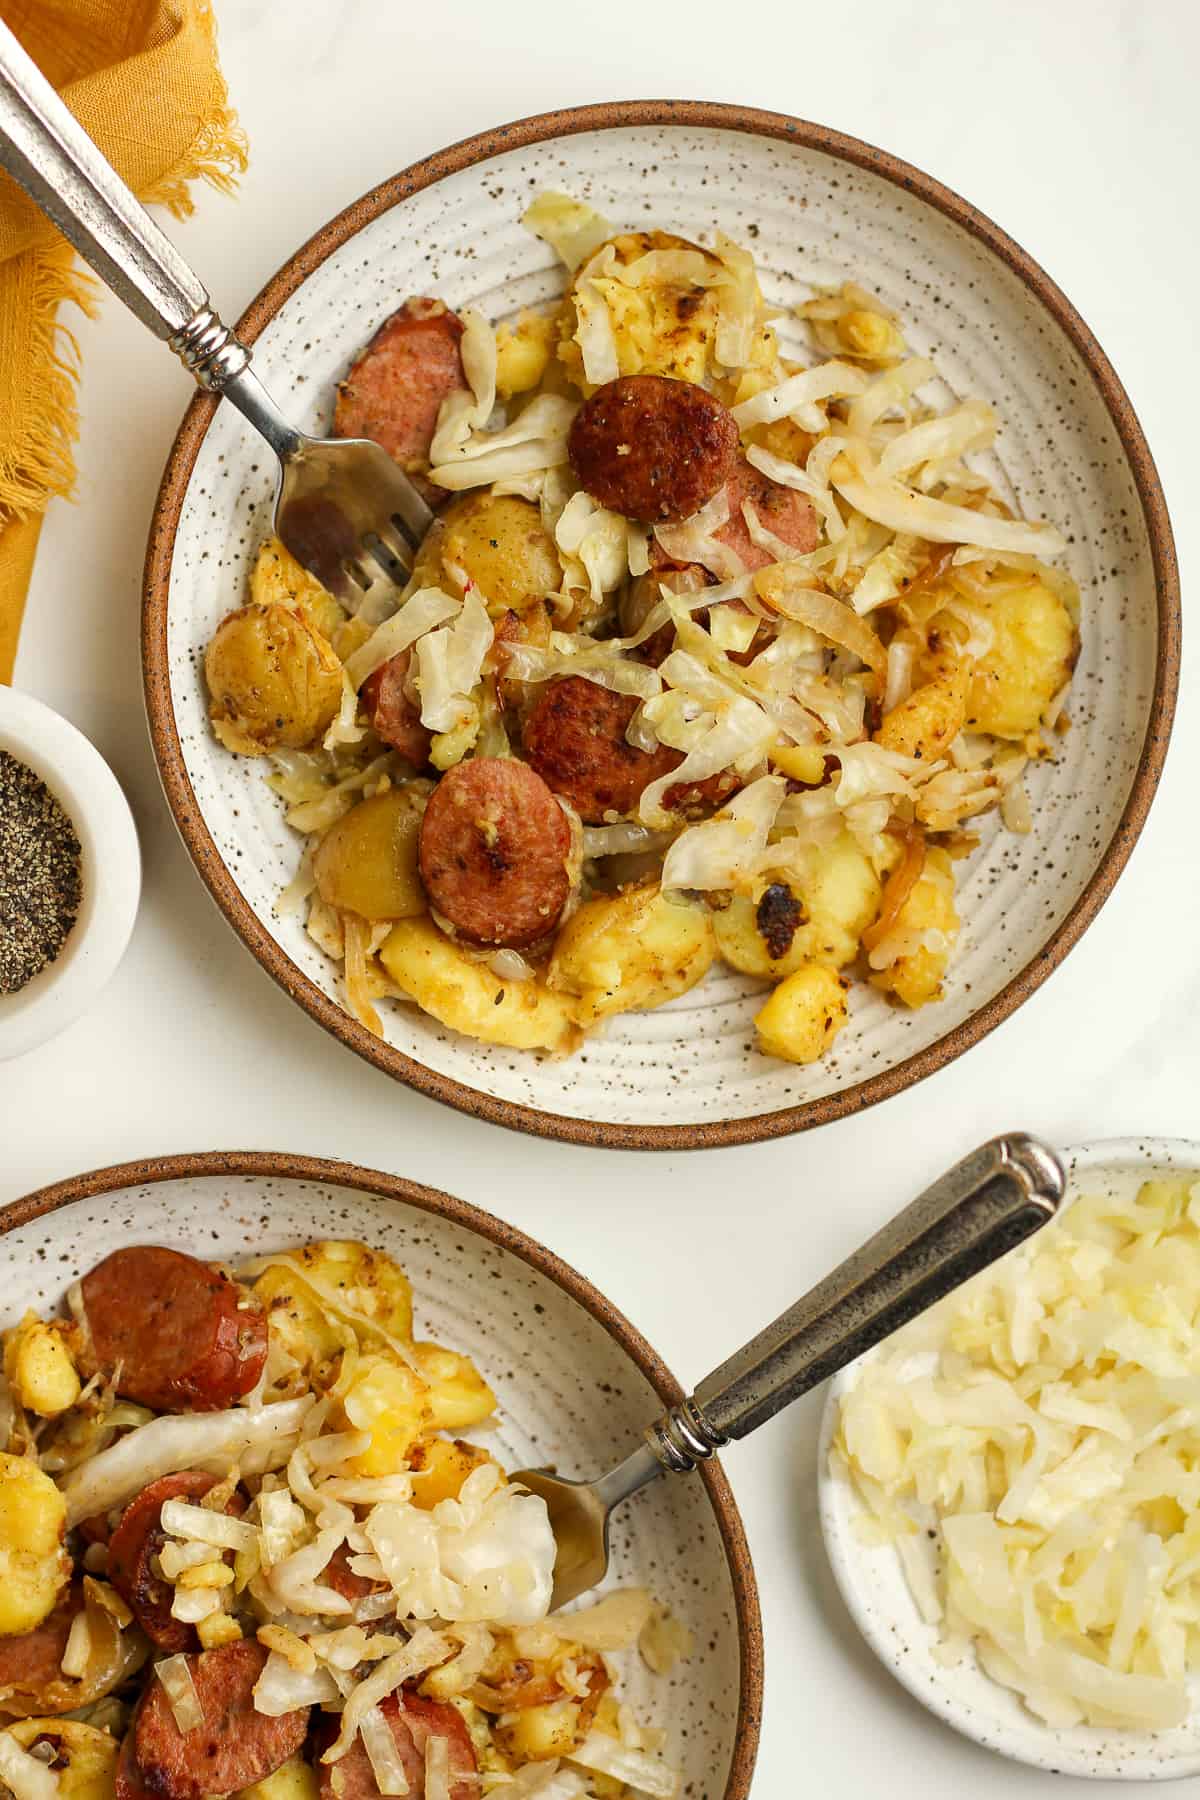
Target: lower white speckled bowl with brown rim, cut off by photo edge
(575, 1380)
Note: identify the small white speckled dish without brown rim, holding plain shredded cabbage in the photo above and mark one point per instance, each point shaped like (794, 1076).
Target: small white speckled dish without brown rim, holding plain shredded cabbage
(881, 1605)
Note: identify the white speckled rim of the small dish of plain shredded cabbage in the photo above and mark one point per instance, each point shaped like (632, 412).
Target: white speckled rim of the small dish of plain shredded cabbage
(1025, 1741)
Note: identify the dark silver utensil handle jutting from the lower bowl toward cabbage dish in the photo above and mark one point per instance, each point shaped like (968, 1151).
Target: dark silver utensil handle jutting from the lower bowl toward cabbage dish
(981, 1209)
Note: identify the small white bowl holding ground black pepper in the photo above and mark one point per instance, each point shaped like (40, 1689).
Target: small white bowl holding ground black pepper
(111, 870)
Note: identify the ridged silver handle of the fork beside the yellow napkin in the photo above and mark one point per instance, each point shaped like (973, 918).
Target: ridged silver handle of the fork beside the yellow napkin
(49, 154)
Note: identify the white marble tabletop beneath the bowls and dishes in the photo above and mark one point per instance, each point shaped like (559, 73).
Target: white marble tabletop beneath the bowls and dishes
(1075, 125)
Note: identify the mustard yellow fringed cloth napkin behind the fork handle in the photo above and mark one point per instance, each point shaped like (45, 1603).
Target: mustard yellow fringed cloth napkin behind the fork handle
(145, 82)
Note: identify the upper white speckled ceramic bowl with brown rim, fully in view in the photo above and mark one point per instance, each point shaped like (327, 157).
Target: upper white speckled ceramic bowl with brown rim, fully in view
(818, 208)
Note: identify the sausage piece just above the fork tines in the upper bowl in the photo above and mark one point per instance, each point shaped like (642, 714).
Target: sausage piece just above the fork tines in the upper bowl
(395, 390)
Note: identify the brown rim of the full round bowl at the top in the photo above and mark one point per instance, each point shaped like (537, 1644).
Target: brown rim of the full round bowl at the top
(710, 1133)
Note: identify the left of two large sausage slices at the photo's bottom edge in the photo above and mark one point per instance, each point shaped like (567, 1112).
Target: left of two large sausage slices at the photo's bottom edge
(233, 1749)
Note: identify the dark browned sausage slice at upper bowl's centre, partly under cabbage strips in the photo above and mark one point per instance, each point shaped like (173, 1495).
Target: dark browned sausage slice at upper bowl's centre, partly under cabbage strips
(577, 741)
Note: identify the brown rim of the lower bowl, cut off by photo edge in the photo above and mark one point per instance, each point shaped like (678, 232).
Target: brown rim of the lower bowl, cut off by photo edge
(276, 1165)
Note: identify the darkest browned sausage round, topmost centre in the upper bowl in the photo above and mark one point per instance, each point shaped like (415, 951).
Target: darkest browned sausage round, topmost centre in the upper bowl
(652, 449)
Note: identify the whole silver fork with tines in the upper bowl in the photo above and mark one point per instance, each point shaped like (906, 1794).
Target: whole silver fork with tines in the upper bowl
(343, 508)
